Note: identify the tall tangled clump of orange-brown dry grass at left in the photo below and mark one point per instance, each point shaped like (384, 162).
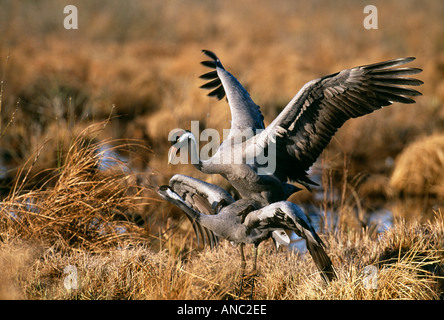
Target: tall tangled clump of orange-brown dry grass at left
(78, 205)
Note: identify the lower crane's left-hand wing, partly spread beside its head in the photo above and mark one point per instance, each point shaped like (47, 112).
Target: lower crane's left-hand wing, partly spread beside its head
(202, 197)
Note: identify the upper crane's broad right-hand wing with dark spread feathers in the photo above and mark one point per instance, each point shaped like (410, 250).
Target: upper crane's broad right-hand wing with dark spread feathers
(306, 125)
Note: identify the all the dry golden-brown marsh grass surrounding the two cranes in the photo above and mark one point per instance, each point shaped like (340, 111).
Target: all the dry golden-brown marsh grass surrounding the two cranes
(59, 207)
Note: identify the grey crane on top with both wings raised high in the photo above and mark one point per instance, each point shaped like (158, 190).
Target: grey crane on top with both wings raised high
(299, 134)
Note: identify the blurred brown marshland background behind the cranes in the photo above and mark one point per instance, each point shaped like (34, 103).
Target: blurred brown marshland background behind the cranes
(138, 61)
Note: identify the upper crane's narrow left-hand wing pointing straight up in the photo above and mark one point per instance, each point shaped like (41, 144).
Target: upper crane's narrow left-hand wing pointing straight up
(245, 114)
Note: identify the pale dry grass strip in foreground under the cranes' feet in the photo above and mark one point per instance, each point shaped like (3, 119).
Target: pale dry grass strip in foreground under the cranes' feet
(409, 259)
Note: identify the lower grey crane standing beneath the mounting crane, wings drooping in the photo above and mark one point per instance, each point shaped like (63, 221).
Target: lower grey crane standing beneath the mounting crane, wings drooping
(243, 221)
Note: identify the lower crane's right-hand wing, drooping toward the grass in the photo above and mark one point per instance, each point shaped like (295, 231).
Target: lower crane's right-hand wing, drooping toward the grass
(286, 215)
